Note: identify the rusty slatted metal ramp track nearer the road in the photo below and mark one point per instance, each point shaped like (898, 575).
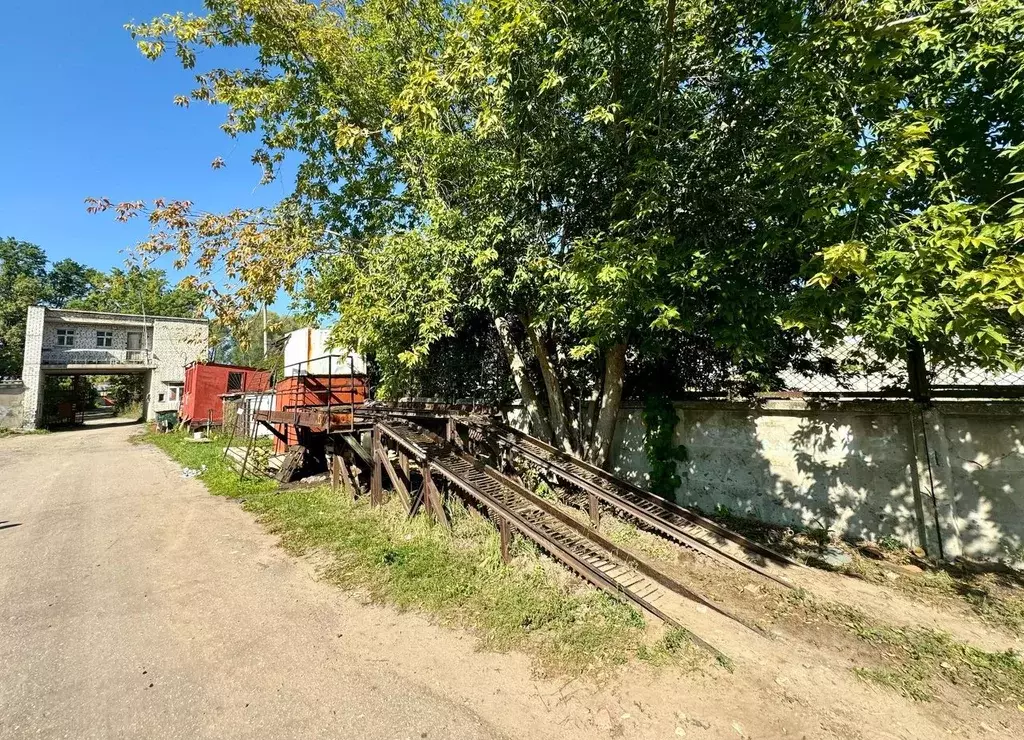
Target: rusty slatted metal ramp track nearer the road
(584, 551)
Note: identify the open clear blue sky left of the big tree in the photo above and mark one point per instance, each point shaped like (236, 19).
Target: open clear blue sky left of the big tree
(86, 114)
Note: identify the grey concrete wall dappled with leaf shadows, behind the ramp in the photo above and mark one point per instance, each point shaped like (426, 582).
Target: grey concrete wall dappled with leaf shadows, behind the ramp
(850, 470)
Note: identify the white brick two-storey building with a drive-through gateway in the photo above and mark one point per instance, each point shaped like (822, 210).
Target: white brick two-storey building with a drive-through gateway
(62, 342)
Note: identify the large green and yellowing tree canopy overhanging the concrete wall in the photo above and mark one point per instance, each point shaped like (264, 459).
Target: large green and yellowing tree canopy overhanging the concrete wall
(621, 194)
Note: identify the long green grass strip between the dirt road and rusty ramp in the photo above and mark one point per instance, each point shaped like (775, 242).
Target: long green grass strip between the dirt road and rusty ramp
(459, 578)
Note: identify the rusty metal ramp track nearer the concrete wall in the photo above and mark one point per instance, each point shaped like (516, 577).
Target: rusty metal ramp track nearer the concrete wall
(669, 519)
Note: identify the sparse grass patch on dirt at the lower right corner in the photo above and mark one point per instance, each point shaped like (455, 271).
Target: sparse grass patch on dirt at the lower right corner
(914, 660)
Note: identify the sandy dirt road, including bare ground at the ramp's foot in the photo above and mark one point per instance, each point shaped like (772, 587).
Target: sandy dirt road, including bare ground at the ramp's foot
(135, 604)
